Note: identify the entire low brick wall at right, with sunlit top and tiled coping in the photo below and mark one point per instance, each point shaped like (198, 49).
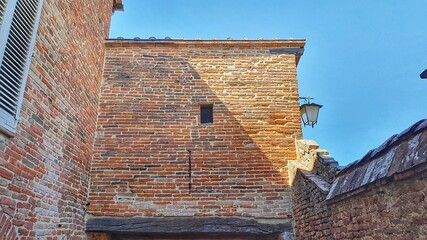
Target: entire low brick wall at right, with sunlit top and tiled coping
(381, 196)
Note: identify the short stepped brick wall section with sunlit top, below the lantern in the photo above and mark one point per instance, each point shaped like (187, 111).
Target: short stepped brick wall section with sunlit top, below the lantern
(312, 175)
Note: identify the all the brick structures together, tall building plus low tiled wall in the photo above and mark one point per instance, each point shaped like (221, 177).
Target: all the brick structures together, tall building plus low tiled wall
(177, 139)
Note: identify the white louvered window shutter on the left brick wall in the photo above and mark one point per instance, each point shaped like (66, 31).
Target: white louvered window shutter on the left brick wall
(19, 20)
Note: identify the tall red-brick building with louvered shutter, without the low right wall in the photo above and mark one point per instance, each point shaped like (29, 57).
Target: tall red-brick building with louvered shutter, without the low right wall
(151, 154)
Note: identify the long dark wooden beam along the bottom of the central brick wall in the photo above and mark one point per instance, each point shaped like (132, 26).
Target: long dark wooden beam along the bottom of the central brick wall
(184, 225)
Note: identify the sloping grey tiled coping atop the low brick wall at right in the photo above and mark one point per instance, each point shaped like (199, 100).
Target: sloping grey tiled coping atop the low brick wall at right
(399, 153)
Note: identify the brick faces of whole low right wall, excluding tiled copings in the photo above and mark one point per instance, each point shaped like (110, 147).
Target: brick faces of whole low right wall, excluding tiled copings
(393, 209)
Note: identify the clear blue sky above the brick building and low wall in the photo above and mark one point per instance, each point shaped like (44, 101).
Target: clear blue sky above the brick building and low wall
(362, 59)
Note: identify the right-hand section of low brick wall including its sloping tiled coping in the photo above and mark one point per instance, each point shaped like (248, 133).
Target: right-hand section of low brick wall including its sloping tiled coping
(383, 196)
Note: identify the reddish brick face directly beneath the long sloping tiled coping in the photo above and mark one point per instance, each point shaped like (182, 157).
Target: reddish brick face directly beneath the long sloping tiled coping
(393, 209)
